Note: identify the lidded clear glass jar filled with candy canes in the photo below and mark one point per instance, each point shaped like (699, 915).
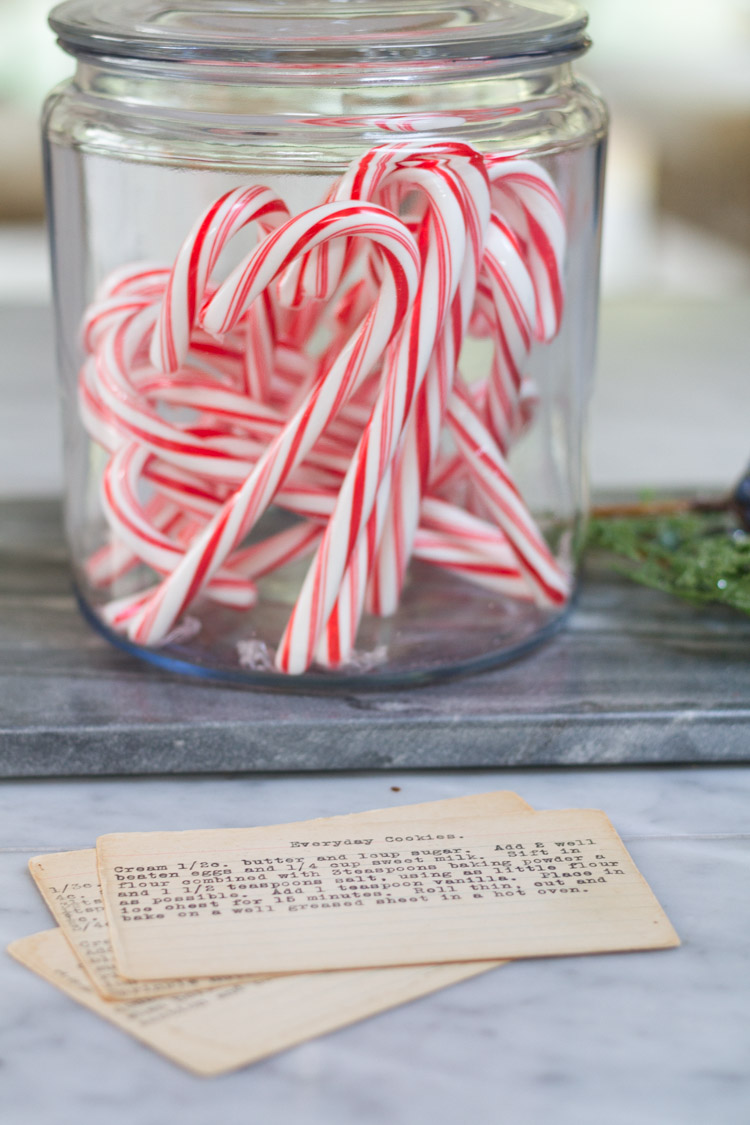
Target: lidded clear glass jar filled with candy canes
(326, 285)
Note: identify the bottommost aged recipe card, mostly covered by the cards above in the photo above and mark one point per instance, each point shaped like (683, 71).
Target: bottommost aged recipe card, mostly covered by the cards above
(222, 1029)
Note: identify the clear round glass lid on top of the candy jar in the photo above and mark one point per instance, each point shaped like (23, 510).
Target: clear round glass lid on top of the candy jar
(344, 32)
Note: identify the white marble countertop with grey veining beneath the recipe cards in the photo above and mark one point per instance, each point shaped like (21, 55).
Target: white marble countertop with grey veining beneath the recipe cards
(655, 1039)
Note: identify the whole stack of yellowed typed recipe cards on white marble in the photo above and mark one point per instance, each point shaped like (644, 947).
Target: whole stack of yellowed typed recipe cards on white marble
(220, 948)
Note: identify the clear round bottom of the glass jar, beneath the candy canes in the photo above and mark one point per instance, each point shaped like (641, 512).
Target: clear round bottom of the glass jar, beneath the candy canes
(444, 629)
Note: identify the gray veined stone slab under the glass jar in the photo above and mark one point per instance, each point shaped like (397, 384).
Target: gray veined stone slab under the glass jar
(636, 678)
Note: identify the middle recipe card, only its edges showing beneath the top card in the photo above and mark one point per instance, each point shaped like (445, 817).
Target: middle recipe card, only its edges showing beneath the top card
(69, 881)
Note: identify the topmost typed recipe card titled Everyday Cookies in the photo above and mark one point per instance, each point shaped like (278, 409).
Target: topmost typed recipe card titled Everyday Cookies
(374, 894)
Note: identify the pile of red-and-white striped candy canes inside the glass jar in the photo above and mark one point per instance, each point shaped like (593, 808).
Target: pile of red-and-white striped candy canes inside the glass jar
(321, 376)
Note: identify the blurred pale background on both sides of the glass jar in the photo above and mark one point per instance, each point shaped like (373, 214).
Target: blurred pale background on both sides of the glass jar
(671, 407)
